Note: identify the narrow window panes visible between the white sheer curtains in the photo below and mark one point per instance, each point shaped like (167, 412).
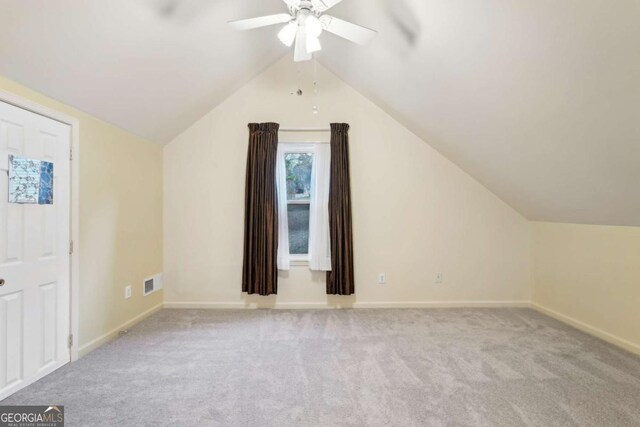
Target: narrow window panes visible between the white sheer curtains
(299, 170)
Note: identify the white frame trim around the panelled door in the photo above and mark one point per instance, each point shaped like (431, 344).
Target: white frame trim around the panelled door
(74, 258)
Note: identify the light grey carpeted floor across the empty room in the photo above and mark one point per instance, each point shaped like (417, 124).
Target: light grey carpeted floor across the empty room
(396, 367)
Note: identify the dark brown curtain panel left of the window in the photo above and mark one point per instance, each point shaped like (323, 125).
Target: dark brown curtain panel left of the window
(259, 268)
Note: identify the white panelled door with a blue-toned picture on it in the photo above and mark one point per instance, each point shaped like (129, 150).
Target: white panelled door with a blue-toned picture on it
(34, 255)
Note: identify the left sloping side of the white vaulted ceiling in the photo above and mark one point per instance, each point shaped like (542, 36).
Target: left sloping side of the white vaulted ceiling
(131, 63)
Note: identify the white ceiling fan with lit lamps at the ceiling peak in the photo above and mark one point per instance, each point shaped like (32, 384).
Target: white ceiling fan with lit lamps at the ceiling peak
(305, 23)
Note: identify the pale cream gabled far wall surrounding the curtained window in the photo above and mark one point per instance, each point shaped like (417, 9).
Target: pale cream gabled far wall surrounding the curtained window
(415, 213)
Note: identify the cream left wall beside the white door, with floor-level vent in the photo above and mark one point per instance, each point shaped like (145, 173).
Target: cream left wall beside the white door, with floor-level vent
(120, 220)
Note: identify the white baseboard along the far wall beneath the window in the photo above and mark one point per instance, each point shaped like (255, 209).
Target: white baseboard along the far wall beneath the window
(320, 305)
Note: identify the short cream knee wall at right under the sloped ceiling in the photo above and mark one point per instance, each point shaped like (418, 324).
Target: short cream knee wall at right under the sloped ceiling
(589, 276)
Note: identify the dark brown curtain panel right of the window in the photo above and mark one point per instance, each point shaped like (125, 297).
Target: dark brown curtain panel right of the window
(340, 278)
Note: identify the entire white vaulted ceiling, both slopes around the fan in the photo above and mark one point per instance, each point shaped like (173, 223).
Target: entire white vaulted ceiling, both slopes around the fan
(537, 99)
